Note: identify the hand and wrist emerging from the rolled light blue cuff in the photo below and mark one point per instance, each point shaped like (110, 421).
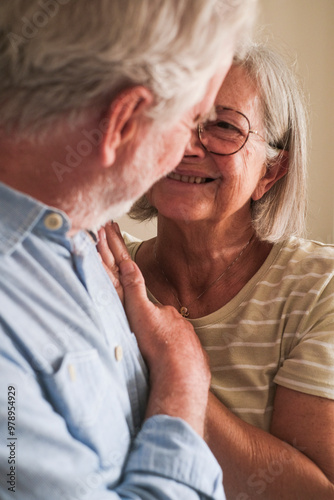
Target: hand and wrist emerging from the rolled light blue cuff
(179, 372)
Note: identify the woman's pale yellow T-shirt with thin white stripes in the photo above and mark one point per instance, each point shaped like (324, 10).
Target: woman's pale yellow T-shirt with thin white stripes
(279, 329)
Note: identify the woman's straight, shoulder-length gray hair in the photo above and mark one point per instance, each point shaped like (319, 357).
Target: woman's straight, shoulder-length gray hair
(281, 212)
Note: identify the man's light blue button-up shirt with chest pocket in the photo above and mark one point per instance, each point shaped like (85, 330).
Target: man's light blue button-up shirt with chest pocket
(73, 385)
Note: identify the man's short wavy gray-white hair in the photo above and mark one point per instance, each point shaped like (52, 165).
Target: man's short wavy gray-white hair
(63, 57)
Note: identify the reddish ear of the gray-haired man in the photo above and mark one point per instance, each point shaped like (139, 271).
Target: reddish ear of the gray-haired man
(121, 120)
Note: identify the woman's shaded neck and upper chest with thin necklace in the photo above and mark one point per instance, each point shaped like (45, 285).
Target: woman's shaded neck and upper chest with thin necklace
(199, 266)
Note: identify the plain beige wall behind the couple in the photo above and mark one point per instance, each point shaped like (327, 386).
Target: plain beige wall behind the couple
(304, 30)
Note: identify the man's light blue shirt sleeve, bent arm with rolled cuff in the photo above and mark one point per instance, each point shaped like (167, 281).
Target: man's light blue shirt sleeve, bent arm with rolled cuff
(40, 459)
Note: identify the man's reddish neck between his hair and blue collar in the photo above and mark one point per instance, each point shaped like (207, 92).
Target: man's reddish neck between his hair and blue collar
(33, 169)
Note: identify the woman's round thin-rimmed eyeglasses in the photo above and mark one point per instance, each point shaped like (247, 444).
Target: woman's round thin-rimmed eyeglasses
(227, 134)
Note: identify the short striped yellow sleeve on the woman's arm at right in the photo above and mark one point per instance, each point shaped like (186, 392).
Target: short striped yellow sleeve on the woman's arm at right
(309, 365)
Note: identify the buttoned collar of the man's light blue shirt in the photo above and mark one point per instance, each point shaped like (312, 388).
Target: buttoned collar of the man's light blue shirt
(20, 213)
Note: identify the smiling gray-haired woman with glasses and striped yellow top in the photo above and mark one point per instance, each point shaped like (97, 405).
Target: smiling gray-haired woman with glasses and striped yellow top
(230, 257)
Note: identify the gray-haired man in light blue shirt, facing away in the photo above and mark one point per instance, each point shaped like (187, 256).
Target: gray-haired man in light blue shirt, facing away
(98, 100)
